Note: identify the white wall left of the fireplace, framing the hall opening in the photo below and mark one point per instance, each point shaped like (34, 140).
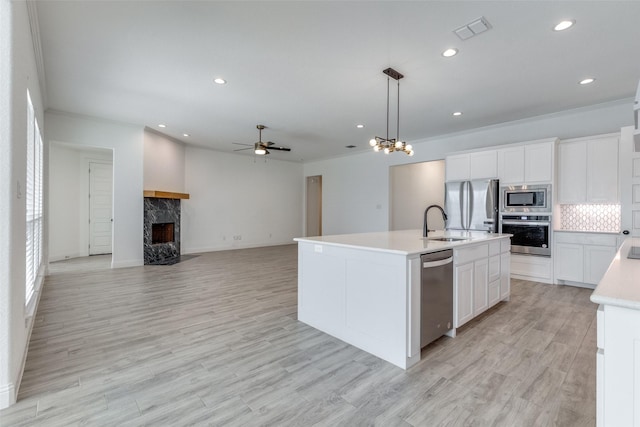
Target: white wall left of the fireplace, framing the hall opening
(126, 141)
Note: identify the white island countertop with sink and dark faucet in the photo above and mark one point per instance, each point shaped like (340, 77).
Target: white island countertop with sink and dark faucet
(404, 242)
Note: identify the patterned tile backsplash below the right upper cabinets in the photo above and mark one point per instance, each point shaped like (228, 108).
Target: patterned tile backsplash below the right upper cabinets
(590, 218)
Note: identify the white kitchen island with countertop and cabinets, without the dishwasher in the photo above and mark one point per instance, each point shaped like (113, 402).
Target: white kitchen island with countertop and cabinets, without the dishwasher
(365, 288)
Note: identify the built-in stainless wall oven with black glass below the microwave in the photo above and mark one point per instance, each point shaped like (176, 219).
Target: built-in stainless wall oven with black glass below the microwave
(531, 233)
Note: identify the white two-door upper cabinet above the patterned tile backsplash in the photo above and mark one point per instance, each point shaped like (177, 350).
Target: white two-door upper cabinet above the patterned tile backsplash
(588, 171)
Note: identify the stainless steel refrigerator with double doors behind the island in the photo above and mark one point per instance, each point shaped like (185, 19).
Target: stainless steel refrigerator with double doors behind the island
(472, 205)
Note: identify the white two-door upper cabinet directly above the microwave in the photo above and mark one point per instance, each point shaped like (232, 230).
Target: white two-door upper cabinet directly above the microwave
(526, 164)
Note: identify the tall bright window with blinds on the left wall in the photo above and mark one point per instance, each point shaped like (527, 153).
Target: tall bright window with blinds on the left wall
(34, 200)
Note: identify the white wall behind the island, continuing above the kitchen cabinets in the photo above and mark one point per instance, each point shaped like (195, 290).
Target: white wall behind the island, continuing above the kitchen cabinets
(356, 188)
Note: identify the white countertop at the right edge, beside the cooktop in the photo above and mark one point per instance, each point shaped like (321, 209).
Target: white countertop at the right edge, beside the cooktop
(620, 285)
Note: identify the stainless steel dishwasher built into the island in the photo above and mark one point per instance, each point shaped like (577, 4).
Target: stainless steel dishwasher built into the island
(436, 308)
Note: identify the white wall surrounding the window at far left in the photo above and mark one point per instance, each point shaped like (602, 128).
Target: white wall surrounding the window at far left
(18, 72)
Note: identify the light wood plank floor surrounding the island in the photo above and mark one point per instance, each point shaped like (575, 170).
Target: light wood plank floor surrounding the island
(214, 340)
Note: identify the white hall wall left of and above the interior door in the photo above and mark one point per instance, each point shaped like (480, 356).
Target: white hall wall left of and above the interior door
(69, 199)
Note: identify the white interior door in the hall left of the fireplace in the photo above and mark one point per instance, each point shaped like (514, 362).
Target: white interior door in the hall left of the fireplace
(100, 208)
